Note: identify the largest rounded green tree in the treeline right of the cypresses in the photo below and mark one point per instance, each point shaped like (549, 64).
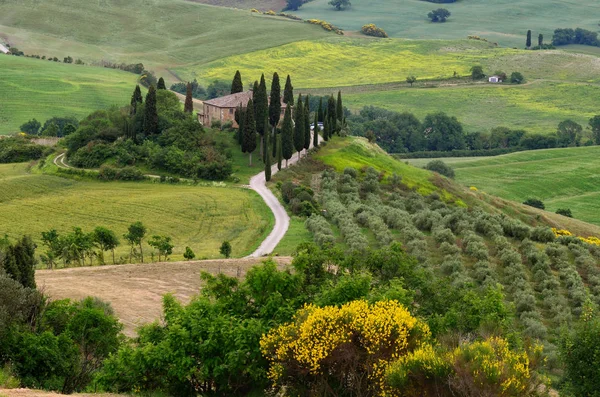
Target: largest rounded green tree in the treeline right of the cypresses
(444, 133)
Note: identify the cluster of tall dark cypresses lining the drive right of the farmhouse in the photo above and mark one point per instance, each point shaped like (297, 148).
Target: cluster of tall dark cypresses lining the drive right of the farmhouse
(261, 116)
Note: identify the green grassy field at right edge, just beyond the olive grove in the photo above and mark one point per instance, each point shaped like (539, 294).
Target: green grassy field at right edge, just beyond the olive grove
(561, 178)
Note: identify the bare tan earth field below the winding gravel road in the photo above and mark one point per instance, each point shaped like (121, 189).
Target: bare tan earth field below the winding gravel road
(135, 291)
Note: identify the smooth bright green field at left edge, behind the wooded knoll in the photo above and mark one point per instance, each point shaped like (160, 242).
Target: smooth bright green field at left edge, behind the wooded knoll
(32, 88)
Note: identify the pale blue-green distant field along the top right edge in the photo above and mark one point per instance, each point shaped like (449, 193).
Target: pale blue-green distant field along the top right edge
(503, 21)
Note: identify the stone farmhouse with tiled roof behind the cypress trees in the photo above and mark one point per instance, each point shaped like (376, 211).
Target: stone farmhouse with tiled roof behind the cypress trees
(223, 109)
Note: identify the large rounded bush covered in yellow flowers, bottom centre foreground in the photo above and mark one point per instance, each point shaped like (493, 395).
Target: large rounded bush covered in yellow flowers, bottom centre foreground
(351, 345)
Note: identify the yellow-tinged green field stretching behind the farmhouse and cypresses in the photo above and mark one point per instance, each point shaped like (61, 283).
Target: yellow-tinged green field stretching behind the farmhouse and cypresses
(340, 61)
